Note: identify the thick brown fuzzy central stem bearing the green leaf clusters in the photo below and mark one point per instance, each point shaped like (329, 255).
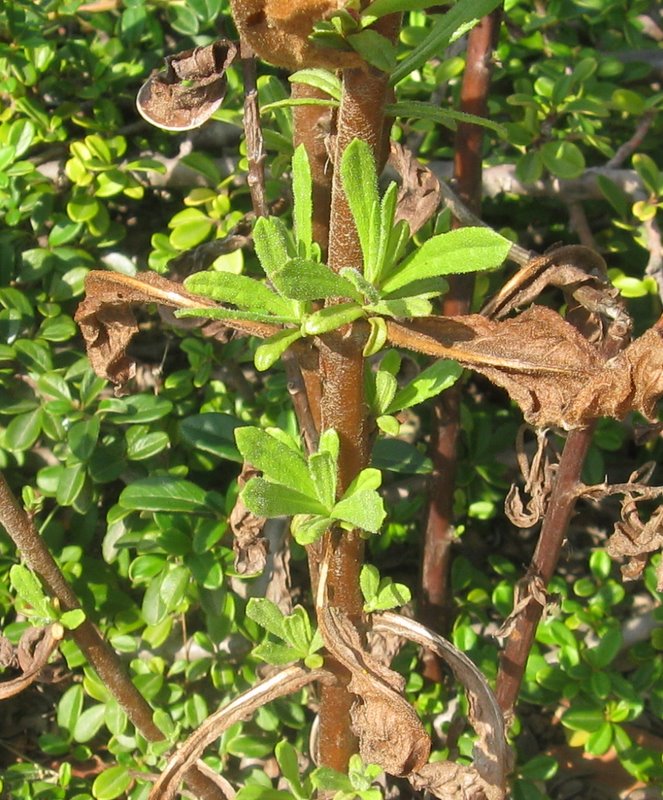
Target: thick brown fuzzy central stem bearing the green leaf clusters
(361, 116)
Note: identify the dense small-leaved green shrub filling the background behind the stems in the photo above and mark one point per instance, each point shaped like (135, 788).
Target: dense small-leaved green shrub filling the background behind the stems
(132, 494)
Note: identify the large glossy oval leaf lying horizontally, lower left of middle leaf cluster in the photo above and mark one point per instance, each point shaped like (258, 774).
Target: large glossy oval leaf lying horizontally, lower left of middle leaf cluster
(164, 493)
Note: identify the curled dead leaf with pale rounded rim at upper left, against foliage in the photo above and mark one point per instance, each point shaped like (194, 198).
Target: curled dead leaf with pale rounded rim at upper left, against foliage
(191, 88)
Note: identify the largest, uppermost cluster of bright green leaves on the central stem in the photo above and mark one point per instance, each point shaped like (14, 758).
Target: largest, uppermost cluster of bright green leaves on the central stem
(387, 284)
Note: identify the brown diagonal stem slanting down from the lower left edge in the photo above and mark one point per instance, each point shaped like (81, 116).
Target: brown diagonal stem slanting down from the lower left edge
(100, 655)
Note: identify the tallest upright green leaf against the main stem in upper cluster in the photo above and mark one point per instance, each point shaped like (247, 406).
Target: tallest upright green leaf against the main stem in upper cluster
(361, 187)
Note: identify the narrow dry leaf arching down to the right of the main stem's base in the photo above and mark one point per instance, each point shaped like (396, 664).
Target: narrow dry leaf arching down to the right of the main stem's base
(492, 756)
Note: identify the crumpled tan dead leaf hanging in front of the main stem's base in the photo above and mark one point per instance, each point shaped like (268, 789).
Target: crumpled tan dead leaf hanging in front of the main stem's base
(389, 731)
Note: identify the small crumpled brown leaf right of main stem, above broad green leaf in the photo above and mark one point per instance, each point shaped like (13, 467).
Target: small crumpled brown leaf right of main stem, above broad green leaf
(419, 193)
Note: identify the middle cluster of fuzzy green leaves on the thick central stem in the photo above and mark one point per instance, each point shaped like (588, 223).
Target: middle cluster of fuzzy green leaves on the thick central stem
(305, 488)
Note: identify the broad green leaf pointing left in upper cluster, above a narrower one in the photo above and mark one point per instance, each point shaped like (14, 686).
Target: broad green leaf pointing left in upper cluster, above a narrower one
(240, 290)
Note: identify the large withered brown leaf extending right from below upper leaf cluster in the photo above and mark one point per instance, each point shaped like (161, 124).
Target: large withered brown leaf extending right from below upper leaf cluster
(548, 368)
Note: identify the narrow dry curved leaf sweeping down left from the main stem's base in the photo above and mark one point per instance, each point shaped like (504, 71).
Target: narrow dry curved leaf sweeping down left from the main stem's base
(289, 680)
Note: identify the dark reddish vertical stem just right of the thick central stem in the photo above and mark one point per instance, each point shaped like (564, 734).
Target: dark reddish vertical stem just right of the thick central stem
(439, 533)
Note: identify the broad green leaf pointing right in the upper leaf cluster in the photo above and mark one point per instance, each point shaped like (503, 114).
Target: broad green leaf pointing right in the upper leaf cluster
(459, 251)
